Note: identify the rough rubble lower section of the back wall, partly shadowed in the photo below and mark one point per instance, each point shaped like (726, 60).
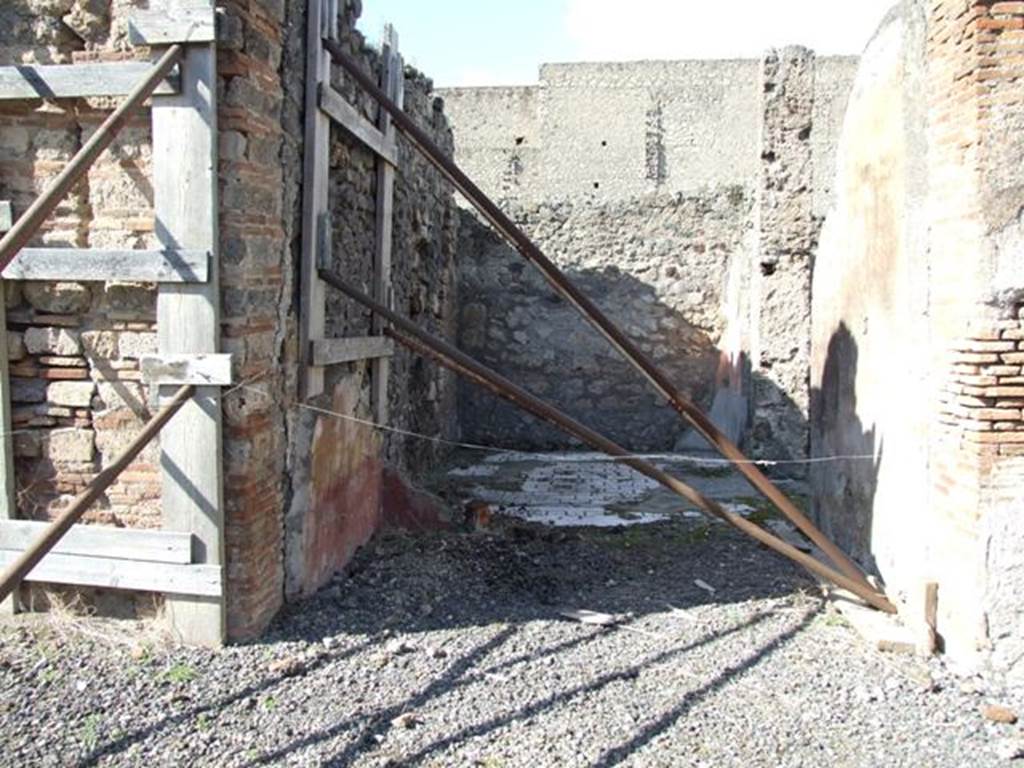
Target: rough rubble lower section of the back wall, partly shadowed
(654, 265)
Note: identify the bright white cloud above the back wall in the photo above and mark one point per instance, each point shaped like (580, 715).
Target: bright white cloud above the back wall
(611, 30)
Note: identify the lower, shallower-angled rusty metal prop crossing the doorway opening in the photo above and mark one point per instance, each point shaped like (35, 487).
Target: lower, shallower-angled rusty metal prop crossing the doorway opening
(446, 355)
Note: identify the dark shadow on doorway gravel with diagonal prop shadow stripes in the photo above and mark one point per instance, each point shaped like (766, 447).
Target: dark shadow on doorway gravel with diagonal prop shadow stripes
(527, 575)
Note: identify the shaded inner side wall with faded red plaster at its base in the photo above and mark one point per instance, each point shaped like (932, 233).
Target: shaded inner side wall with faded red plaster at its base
(347, 478)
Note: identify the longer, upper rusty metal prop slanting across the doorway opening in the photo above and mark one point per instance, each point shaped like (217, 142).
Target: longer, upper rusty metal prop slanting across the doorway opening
(505, 227)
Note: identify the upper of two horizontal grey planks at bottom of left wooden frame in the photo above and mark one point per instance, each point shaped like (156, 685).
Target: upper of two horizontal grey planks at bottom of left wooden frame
(103, 541)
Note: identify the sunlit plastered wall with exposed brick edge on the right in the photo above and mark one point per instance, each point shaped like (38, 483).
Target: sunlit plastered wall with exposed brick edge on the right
(917, 319)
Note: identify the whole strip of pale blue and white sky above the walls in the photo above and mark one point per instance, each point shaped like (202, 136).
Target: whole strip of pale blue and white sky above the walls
(503, 42)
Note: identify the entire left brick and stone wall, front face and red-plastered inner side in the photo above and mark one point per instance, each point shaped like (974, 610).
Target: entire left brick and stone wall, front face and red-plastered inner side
(75, 348)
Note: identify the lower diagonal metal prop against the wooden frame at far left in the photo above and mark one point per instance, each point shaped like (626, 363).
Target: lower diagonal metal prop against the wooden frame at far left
(30, 559)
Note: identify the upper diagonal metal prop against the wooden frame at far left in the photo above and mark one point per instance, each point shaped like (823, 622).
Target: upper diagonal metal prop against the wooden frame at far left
(30, 222)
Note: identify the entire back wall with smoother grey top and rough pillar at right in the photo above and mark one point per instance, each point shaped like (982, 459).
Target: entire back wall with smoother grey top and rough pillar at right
(685, 197)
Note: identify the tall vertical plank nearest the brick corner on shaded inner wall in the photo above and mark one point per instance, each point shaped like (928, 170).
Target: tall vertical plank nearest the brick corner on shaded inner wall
(315, 202)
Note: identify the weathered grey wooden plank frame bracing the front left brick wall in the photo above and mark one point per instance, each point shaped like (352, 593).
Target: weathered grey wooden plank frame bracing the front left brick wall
(185, 560)
